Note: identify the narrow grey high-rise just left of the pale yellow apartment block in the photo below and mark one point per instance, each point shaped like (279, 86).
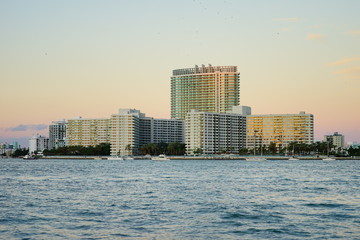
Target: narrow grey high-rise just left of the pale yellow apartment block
(57, 134)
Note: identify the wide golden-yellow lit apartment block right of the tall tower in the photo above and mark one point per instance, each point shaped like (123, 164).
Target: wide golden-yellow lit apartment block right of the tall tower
(280, 129)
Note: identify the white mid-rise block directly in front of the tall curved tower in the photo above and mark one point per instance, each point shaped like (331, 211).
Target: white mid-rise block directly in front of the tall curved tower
(211, 133)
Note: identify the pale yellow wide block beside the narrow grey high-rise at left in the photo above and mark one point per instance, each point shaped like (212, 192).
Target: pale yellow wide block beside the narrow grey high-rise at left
(87, 132)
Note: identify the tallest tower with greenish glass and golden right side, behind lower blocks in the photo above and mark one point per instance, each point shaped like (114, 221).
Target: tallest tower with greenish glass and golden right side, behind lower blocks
(206, 89)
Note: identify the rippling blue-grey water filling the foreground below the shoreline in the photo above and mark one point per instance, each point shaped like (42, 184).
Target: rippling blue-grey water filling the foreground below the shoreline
(95, 199)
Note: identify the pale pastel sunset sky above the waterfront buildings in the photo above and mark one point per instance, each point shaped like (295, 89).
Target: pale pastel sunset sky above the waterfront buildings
(62, 59)
